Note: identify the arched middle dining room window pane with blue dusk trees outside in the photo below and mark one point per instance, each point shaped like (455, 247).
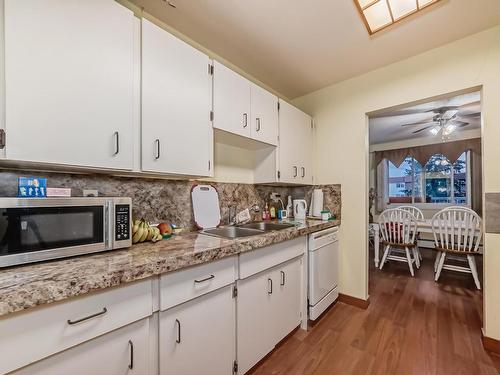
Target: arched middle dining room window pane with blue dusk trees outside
(438, 180)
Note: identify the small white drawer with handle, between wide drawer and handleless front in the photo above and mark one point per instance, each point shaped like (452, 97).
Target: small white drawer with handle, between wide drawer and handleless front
(181, 286)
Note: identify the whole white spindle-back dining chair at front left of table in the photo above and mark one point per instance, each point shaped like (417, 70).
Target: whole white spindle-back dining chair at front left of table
(398, 229)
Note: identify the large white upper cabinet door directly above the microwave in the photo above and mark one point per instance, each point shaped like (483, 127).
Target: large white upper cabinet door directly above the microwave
(69, 82)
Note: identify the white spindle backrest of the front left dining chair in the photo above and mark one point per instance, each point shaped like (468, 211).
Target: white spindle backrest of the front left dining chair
(398, 226)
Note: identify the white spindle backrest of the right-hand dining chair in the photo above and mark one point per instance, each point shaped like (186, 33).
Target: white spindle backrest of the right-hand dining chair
(457, 229)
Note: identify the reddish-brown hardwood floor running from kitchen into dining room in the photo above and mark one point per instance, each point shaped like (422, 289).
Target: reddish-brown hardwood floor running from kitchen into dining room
(412, 326)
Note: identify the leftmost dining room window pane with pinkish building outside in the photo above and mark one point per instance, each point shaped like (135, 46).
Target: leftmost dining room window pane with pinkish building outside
(401, 182)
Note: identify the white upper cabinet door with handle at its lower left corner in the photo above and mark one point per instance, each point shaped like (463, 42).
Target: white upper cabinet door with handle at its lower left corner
(176, 103)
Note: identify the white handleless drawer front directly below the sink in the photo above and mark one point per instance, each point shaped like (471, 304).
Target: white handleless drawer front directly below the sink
(259, 260)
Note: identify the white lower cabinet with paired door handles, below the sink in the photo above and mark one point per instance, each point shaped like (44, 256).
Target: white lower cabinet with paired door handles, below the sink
(268, 309)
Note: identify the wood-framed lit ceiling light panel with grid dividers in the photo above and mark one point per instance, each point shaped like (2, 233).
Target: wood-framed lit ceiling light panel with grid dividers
(379, 14)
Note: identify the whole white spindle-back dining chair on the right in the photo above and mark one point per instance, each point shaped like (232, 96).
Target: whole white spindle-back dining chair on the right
(457, 235)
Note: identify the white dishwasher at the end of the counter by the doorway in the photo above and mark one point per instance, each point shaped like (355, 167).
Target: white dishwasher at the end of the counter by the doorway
(323, 249)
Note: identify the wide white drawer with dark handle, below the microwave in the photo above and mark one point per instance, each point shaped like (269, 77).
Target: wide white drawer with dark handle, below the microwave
(35, 334)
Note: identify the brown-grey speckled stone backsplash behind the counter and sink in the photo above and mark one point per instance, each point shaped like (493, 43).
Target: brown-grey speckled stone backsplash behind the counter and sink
(170, 200)
